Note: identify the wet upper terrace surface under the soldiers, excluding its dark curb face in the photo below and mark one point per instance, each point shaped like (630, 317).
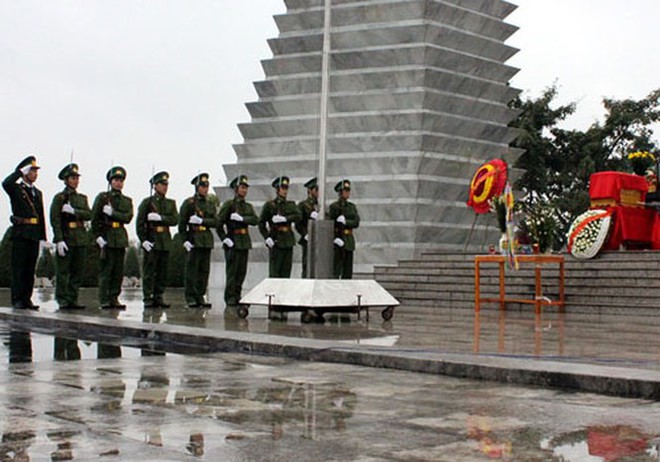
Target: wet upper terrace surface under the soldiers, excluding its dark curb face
(626, 339)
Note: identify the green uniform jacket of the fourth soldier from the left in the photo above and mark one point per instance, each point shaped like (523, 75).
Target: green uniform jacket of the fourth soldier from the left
(157, 232)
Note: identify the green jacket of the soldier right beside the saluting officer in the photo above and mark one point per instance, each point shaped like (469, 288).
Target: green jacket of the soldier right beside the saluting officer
(67, 227)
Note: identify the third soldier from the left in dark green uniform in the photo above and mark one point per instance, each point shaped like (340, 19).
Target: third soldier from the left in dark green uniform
(110, 213)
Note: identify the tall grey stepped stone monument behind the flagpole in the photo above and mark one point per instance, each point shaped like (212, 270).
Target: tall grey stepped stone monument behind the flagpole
(418, 93)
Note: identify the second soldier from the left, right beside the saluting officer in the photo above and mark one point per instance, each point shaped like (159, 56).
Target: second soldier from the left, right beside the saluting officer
(68, 213)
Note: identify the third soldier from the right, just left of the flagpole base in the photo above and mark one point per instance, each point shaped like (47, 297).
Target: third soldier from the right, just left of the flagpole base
(277, 217)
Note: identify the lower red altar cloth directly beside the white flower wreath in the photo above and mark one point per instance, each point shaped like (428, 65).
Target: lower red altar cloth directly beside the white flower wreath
(633, 226)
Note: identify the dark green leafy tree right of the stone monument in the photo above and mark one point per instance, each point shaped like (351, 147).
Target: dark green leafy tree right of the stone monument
(558, 162)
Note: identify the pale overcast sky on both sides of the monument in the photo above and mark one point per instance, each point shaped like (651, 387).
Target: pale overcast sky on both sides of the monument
(161, 84)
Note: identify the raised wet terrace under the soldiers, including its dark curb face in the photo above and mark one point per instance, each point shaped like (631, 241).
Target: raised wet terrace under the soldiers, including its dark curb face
(611, 353)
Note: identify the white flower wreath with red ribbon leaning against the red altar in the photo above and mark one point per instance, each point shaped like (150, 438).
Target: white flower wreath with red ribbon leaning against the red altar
(588, 233)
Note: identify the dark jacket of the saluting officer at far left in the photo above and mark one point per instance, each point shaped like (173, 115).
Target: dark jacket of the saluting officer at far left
(26, 203)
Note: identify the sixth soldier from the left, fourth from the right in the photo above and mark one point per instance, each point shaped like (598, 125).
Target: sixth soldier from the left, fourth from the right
(233, 220)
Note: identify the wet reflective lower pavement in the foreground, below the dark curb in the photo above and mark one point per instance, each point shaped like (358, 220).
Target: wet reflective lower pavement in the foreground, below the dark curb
(234, 407)
